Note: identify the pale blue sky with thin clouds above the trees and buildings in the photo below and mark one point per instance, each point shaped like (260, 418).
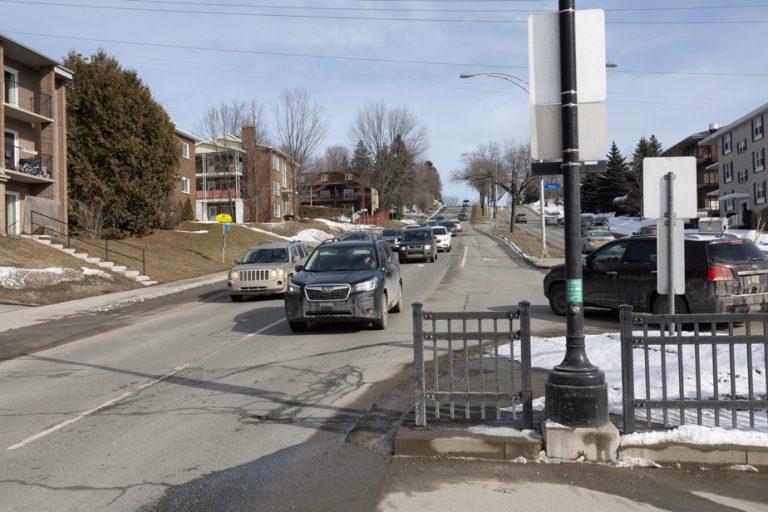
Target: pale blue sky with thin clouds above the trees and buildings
(681, 65)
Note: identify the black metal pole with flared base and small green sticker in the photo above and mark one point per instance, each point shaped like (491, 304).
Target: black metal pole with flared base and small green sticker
(576, 392)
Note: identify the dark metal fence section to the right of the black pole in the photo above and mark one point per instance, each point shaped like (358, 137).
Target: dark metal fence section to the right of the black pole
(694, 369)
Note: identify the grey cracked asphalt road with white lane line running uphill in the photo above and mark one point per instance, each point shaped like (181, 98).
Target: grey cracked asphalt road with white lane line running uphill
(193, 403)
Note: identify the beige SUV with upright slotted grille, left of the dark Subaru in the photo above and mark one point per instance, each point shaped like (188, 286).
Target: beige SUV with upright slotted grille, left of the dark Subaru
(265, 269)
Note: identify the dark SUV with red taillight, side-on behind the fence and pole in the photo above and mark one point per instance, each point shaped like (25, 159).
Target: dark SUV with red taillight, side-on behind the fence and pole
(722, 274)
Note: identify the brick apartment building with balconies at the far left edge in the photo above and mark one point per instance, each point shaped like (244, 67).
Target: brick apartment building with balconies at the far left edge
(33, 115)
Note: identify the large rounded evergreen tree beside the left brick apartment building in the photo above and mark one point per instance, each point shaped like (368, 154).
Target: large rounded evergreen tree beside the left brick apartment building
(121, 147)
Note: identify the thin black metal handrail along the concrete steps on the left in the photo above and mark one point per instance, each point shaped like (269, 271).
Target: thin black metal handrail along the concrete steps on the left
(44, 225)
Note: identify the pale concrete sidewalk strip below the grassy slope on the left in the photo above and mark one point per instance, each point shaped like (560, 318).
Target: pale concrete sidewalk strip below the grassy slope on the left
(16, 317)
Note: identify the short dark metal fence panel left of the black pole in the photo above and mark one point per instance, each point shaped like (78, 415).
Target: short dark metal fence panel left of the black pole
(480, 368)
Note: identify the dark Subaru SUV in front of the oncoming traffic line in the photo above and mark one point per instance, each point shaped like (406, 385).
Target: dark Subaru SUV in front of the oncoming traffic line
(345, 281)
